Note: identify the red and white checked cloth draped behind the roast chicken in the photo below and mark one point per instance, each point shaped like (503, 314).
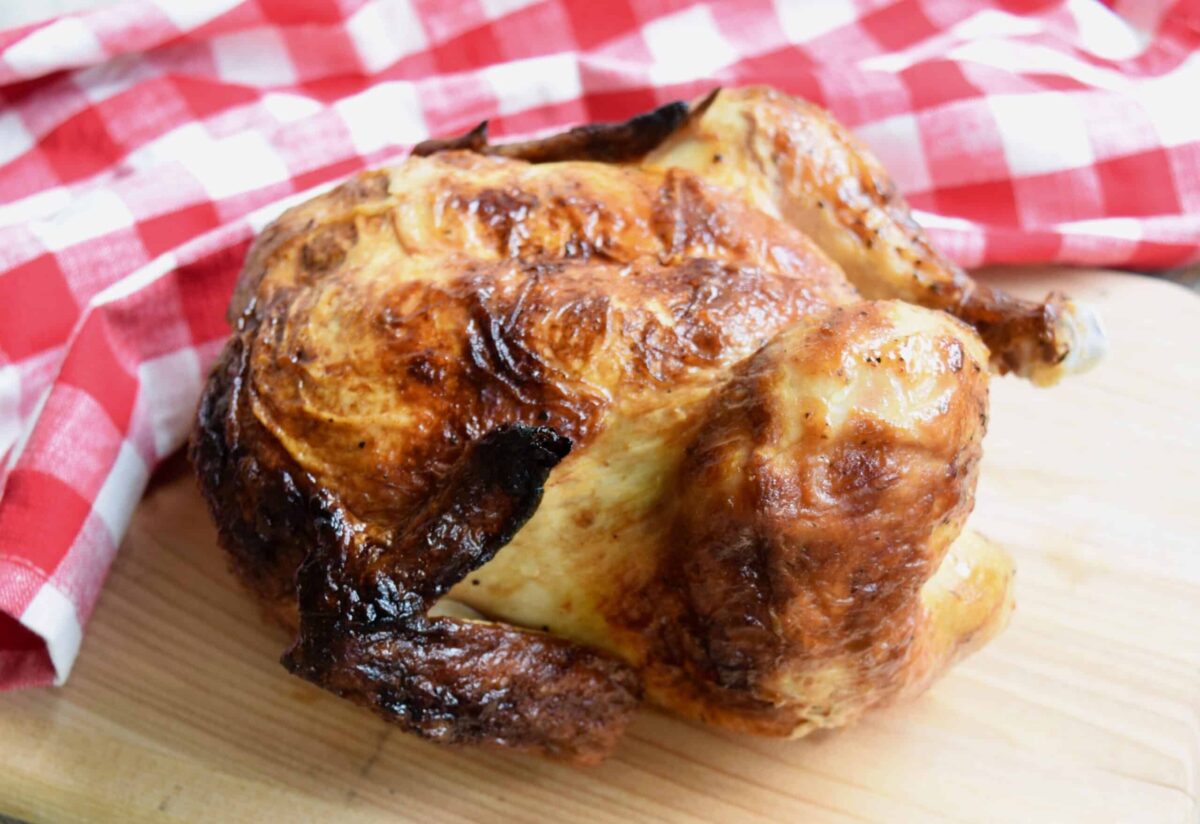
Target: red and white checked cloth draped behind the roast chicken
(142, 147)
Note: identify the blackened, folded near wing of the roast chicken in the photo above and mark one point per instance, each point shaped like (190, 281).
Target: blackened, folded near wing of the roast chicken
(365, 631)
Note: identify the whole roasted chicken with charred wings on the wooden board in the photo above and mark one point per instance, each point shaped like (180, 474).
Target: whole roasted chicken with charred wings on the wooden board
(685, 410)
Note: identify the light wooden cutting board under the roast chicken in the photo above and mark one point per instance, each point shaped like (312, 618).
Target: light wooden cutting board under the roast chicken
(1088, 709)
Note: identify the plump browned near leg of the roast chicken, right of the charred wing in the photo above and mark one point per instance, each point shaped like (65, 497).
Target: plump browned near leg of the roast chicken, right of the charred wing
(814, 504)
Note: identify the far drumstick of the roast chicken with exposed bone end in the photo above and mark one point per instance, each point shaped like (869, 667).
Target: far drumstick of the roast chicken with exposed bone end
(791, 160)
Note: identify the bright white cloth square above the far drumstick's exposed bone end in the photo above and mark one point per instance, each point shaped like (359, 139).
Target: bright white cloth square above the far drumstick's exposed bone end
(1043, 133)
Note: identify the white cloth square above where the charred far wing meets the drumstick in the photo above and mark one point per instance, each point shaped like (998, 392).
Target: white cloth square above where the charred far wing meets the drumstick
(687, 46)
